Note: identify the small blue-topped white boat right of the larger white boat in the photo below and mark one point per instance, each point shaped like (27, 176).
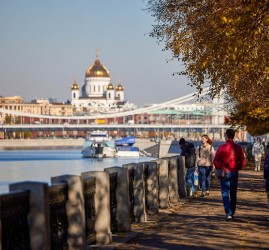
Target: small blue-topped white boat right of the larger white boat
(125, 147)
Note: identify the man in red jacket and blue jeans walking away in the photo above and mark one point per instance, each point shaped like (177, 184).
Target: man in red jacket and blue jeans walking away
(231, 157)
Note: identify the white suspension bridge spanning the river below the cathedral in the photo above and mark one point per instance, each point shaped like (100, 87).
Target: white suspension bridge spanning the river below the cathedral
(209, 120)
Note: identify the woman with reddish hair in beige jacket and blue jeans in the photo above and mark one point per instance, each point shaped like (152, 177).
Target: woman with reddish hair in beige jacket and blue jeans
(204, 163)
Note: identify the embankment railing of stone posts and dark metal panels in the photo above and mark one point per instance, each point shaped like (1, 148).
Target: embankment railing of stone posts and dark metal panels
(76, 211)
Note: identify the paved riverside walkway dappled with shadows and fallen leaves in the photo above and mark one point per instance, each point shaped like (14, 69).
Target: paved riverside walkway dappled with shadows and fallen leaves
(199, 223)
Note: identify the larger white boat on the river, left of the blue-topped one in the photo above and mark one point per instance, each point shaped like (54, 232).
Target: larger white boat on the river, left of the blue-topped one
(98, 145)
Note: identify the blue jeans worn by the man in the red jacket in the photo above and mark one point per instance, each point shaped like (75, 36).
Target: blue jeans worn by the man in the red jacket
(229, 191)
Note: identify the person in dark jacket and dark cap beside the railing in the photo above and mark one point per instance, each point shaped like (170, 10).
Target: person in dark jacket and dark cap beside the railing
(188, 151)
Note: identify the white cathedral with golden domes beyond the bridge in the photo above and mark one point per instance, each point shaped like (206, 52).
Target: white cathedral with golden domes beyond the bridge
(98, 94)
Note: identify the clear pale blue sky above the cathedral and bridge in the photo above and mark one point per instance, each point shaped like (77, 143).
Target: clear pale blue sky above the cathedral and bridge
(45, 44)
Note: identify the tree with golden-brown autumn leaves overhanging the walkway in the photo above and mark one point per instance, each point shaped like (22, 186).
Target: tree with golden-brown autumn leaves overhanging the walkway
(223, 44)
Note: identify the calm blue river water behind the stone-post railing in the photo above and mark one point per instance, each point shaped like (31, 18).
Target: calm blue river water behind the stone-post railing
(41, 164)
